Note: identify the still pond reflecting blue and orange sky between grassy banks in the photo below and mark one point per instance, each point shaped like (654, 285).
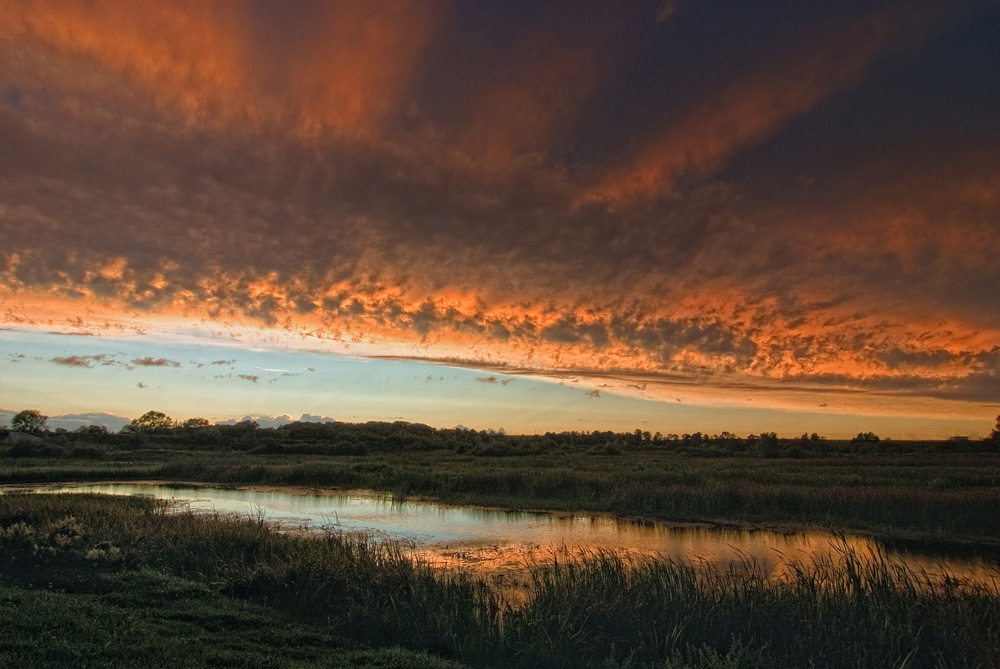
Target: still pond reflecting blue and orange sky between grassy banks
(503, 544)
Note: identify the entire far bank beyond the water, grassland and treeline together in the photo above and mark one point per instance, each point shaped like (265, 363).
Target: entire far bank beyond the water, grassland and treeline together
(936, 490)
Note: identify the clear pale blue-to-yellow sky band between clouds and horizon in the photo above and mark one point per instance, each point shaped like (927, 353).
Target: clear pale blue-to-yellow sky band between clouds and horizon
(273, 381)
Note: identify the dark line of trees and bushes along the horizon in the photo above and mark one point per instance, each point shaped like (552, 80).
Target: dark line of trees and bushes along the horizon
(359, 439)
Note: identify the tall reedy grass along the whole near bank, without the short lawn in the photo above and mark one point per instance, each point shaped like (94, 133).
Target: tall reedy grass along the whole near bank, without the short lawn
(606, 610)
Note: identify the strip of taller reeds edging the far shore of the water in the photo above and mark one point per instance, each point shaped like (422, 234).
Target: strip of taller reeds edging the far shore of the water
(677, 492)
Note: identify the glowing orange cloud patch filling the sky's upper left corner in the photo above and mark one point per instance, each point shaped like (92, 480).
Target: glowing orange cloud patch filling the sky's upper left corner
(341, 66)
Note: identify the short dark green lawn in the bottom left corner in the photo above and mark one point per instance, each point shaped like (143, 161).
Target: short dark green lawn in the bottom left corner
(77, 617)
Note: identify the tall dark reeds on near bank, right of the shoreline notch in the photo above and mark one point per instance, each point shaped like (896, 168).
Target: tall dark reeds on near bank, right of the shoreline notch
(852, 613)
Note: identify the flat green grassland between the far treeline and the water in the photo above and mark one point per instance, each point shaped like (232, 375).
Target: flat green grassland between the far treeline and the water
(928, 494)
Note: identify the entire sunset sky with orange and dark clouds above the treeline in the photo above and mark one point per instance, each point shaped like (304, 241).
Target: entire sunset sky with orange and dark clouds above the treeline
(678, 216)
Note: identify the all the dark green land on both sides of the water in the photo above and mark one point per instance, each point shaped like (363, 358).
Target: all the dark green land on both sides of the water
(84, 576)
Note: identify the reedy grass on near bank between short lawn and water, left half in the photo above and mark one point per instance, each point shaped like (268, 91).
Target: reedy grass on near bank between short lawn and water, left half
(367, 590)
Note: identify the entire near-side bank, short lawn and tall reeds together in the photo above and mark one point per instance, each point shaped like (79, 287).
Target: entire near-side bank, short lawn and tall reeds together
(221, 592)
